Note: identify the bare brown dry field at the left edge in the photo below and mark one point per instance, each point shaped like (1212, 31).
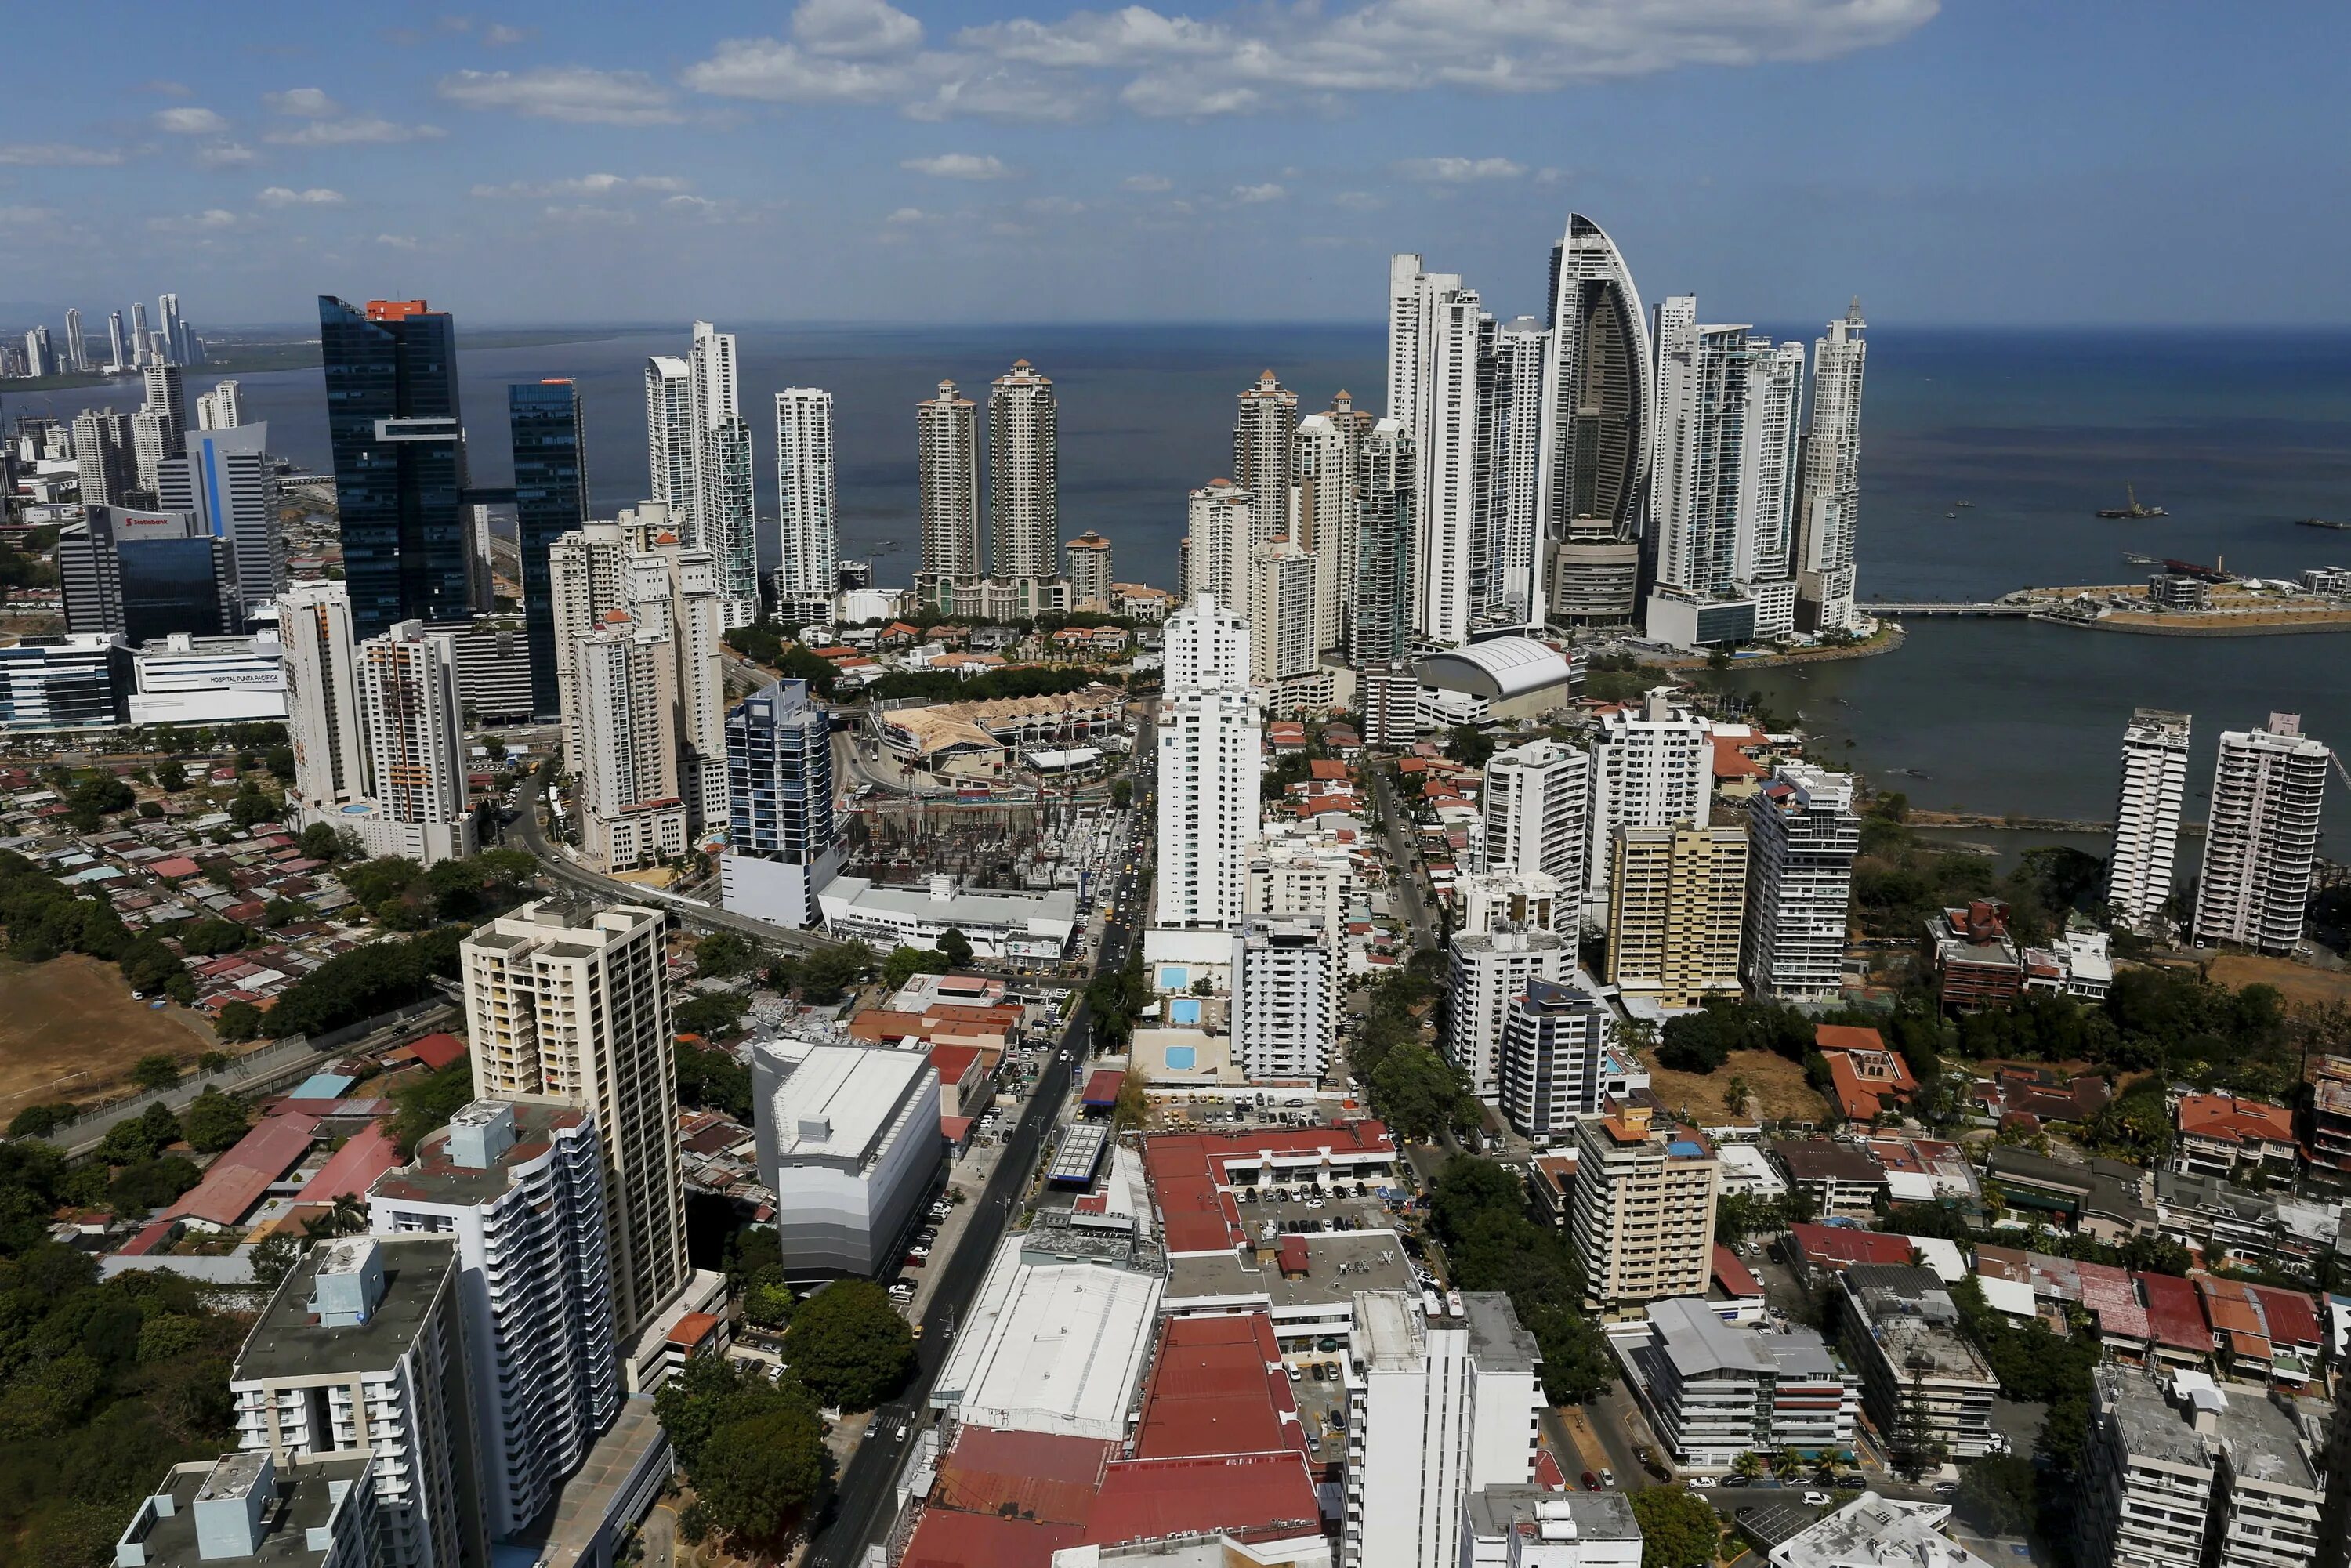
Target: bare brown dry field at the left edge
(76, 1017)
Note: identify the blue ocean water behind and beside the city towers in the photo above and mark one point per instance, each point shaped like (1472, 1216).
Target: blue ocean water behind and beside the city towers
(2235, 434)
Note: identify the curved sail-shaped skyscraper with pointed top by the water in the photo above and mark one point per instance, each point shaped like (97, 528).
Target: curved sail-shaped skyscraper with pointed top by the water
(1598, 431)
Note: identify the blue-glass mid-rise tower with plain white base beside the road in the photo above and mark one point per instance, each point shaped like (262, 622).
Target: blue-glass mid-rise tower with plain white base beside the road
(782, 838)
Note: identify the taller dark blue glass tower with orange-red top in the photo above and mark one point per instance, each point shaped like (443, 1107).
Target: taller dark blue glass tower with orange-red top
(398, 462)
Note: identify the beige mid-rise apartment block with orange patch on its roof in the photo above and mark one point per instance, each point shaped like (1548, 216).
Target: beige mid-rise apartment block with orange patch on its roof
(1642, 1214)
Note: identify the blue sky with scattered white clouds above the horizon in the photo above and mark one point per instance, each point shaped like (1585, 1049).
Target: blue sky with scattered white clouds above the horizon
(1022, 161)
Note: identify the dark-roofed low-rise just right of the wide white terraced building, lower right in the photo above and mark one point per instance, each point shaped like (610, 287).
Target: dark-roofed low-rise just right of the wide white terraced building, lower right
(1924, 1386)
